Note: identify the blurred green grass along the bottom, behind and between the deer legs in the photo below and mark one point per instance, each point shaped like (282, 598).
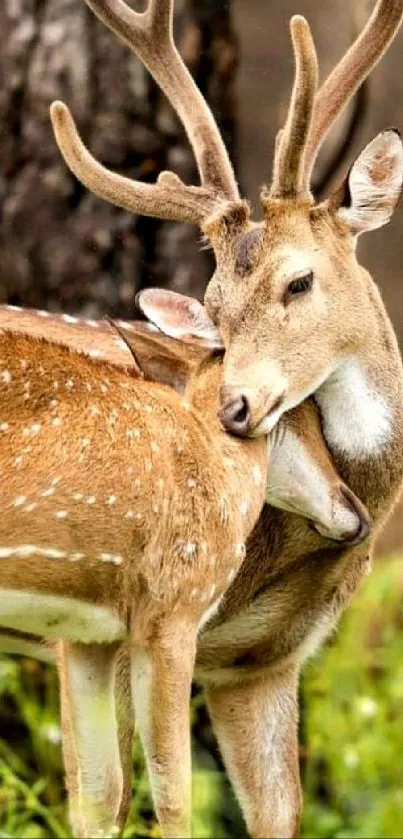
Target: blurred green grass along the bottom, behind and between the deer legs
(353, 738)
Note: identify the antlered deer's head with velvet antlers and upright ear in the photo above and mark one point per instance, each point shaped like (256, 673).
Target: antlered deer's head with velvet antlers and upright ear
(288, 294)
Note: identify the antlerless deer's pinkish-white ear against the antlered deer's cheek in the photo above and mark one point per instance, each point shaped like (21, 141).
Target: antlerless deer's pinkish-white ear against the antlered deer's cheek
(180, 317)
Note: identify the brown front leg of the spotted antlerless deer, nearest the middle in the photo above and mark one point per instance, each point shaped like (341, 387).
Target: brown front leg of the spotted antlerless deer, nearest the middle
(161, 683)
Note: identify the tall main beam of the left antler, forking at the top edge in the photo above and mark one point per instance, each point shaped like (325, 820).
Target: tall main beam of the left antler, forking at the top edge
(149, 35)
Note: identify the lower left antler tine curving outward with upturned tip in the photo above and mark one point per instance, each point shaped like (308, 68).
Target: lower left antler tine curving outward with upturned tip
(169, 198)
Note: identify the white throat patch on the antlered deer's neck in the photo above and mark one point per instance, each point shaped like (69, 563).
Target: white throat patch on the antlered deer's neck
(356, 419)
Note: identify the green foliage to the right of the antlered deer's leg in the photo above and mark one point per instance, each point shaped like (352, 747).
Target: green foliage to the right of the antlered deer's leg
(354, 700)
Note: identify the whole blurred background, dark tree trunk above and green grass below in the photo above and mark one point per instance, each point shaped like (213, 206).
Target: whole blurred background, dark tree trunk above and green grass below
(65, 250)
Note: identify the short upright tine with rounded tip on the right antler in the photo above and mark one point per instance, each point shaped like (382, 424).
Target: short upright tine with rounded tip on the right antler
(291, 142)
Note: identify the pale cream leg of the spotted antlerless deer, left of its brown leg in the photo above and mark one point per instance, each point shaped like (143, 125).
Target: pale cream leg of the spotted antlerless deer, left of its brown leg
(90, 738)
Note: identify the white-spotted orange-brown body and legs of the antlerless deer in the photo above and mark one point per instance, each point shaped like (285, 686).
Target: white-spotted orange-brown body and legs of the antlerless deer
(166, 462)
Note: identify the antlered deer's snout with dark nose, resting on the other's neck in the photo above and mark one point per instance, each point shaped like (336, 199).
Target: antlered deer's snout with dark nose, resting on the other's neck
(241, 416)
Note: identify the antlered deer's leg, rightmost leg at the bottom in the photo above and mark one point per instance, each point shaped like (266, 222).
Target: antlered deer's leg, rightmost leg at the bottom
(256, 726)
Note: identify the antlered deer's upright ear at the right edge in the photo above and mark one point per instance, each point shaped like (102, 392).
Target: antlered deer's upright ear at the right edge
(373, 186)
